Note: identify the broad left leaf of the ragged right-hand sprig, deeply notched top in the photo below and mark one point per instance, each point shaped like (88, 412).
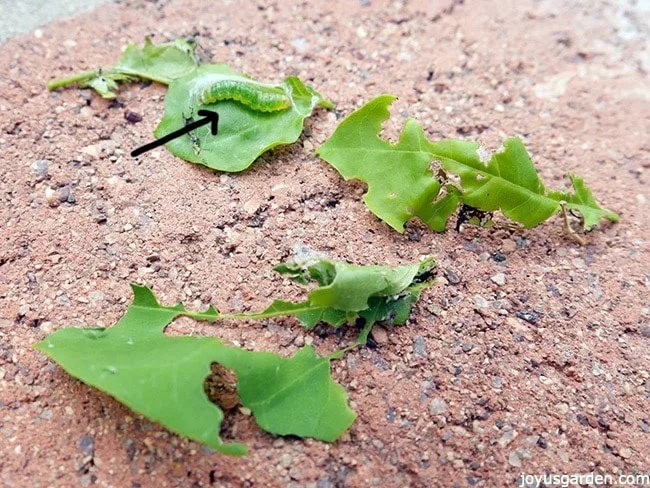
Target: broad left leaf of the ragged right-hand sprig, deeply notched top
(400, 181)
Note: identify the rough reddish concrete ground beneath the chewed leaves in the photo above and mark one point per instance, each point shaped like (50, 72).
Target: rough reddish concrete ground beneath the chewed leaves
(468, 393)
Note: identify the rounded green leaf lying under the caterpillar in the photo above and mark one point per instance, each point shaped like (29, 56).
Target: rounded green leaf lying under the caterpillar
(244, 133)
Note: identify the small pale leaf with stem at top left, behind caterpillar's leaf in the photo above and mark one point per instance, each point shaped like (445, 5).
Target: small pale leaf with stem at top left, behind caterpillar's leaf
(161, 63)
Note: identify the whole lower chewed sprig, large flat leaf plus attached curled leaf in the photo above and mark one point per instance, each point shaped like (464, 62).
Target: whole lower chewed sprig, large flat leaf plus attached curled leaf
(164, 378)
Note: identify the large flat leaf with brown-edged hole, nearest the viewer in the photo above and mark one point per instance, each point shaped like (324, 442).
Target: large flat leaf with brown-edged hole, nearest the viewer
(162, 377)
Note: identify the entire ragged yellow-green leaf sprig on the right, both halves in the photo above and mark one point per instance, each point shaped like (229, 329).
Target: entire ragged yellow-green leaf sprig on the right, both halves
(401, 184)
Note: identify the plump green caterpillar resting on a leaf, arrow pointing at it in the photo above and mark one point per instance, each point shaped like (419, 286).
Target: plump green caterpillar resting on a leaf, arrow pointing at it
(261, 97)
